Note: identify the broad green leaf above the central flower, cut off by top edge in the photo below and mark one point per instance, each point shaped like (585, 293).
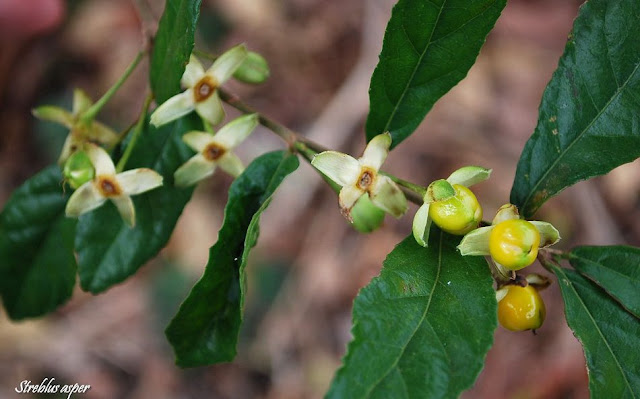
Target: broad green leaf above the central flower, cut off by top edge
(428, 48)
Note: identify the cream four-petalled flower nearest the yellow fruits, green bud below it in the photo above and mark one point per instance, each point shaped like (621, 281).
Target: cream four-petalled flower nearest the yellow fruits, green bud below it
(360, 176)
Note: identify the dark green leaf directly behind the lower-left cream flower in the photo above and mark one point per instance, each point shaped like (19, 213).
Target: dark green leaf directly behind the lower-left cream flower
(108, 250)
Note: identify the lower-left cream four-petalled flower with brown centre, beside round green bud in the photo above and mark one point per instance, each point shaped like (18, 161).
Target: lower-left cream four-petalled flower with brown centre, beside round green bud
(107, 185)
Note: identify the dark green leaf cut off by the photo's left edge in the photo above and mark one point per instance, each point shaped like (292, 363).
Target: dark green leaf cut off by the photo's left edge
(37, 265)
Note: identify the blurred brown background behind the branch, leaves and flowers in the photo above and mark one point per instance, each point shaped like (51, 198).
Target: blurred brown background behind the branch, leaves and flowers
(309, 264)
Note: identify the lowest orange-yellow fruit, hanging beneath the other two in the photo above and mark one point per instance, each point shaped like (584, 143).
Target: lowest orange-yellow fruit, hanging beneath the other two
(521, 309)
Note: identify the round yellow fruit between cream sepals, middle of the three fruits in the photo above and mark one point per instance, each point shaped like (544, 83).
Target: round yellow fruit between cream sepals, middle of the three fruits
(514, 243)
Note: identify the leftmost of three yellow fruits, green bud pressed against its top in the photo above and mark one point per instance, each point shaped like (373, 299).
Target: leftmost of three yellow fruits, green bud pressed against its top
(459, 214)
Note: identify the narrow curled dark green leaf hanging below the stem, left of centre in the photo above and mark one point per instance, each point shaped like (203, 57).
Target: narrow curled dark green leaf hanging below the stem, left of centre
(205, 330)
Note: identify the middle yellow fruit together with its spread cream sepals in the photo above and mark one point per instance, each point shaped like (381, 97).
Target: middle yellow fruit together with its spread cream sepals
(511, 242)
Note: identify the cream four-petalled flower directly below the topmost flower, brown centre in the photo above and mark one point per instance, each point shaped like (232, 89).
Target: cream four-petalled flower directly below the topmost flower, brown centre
(215, 150)
